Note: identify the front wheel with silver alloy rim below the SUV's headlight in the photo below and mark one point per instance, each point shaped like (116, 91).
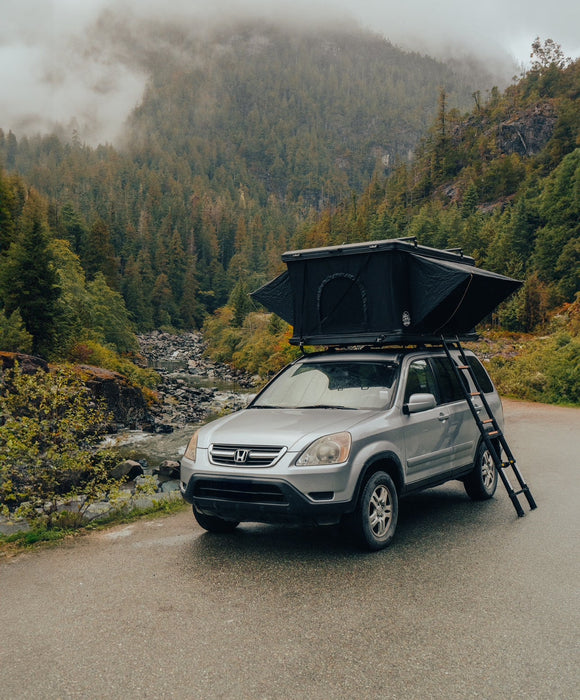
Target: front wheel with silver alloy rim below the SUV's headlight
(374, 521)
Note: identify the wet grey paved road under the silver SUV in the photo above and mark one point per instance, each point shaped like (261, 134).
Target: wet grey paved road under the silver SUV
(469, 601)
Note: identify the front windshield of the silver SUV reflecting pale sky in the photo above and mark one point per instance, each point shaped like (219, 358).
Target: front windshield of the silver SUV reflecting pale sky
(334, 384)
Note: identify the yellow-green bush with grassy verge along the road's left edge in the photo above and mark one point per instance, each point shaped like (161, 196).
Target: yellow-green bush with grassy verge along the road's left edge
(53, 466)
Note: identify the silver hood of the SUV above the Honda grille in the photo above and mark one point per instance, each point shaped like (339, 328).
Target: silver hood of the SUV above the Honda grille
(294, 428)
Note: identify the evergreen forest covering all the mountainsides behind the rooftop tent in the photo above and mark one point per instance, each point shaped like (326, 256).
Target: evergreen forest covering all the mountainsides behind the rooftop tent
(256, 140)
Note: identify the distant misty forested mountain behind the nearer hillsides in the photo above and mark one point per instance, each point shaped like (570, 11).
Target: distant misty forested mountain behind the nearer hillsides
(242, 135)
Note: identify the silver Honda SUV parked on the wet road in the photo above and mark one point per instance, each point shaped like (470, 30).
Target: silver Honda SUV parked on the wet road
(340, 436)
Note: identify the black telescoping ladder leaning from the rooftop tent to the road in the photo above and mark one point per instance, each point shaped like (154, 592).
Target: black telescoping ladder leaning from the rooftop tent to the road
(490, 431)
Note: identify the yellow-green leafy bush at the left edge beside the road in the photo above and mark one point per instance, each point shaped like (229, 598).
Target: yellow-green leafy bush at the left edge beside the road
(50, 430)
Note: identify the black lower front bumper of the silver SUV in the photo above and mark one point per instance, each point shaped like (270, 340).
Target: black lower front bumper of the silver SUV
(250, 499)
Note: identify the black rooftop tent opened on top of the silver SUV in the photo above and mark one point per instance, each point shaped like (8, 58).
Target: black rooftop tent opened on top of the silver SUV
(383, 292)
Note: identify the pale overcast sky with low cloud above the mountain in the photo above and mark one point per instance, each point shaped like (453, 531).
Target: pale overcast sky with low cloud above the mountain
(47, 75)
